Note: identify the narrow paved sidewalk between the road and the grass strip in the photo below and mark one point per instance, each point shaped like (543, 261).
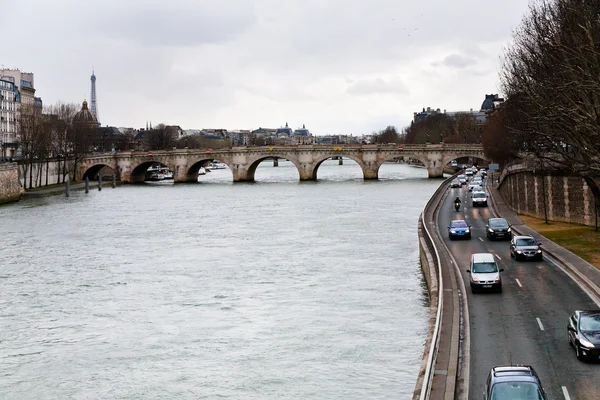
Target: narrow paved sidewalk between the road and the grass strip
(584, 271)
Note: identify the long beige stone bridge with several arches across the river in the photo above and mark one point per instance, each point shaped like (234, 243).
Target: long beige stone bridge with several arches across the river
(130, 167)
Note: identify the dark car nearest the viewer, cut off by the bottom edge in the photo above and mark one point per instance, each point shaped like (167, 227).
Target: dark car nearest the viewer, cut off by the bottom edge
(510, 382)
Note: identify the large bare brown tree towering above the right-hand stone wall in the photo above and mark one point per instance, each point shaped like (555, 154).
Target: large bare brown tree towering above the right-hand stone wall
(550, 72)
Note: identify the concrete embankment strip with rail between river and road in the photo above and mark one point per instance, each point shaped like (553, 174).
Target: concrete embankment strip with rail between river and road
(439, 374)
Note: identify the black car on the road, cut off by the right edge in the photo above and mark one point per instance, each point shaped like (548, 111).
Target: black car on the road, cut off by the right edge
(583, 331)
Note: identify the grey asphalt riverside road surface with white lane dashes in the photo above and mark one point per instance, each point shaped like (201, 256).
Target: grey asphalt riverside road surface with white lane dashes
(504, 326)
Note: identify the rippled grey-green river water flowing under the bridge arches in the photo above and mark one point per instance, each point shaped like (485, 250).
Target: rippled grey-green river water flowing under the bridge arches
(268, 290)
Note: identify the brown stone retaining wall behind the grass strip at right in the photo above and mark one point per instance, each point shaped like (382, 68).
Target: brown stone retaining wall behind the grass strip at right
(566, 198)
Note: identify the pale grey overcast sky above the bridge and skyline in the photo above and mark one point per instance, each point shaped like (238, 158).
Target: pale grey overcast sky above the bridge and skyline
(338, 66)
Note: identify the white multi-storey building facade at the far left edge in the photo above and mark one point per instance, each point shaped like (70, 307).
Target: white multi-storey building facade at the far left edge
(10, 102)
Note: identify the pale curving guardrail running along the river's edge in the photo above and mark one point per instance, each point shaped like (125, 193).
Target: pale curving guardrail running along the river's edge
(435, 340)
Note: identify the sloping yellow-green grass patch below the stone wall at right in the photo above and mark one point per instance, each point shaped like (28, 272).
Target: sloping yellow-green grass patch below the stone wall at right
(581, 240)
